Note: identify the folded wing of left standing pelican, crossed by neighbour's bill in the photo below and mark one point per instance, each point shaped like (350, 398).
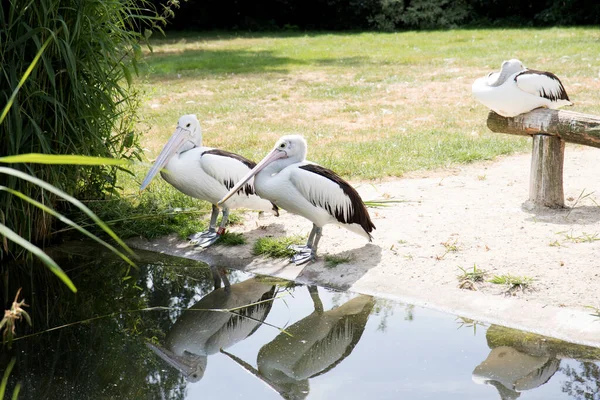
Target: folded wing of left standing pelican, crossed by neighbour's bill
(228, 168)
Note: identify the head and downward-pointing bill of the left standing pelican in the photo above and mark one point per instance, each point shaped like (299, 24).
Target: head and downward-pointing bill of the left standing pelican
(187, 135)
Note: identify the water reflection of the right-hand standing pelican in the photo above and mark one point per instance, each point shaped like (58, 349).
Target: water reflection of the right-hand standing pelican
(315, 345)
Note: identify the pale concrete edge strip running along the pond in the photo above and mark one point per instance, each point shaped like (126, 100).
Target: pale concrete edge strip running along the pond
(576, 325)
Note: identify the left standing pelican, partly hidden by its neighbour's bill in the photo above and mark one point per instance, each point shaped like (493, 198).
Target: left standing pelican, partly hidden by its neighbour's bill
(206, 174)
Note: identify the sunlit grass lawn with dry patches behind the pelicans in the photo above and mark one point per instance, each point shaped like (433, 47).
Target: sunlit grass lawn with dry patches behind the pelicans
(371, 105)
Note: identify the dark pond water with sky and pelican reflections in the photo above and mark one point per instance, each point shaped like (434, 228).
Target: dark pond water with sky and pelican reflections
(149, 334)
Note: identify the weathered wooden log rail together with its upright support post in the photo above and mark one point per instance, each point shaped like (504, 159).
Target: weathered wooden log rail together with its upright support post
(550, 130)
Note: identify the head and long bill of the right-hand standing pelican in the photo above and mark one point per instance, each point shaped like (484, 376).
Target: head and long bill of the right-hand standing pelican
(289, 149)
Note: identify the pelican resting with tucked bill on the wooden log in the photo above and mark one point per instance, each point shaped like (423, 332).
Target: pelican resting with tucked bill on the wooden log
(516, 90)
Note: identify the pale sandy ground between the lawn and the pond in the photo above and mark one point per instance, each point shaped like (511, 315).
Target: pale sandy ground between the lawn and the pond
(473, 215)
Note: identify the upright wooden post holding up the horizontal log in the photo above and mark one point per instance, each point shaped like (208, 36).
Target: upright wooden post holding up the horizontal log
(546, 174)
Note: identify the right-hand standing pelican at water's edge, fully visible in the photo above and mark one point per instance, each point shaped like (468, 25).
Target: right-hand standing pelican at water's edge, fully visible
(307, 189)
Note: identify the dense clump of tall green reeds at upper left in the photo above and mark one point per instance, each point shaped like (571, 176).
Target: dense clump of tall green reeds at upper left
(76, 100)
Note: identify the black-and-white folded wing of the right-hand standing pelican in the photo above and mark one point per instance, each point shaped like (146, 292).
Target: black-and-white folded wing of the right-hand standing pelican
(325, 189)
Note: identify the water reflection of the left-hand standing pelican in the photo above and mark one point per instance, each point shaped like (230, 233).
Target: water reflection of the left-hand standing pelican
(199, 332)
